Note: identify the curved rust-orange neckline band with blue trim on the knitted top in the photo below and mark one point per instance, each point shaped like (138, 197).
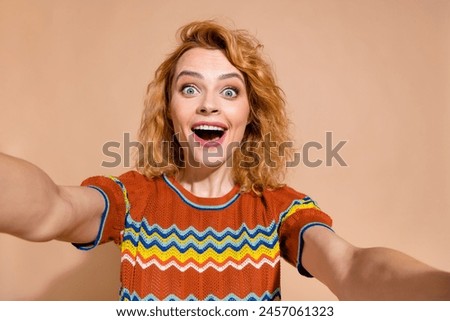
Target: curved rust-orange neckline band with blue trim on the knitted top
(206, 203)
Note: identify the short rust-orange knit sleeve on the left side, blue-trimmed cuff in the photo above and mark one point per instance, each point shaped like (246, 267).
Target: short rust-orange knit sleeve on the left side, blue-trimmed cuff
(117, 206)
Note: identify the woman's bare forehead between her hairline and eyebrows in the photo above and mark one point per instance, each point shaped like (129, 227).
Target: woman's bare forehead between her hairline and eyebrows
(205, 61)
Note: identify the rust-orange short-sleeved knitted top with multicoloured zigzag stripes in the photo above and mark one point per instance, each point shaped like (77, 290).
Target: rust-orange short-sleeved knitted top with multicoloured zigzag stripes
(177, 246)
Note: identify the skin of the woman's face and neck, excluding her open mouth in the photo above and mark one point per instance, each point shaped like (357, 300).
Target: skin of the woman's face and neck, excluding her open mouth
(208, 90)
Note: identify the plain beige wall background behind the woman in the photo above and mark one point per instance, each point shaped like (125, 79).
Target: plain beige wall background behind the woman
(375, 73)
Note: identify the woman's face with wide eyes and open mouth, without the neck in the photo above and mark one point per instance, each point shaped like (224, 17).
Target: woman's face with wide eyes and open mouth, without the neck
(209, 107)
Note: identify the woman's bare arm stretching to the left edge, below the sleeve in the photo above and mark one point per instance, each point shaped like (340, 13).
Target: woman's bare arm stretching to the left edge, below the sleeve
(34, 208)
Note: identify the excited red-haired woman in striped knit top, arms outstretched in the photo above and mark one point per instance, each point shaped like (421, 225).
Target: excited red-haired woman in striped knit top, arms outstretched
(206, 216)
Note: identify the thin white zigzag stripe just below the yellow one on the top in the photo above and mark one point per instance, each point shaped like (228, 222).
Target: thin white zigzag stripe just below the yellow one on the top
(192, 265)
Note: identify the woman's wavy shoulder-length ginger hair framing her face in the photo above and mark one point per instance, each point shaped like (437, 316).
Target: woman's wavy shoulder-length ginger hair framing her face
(268, 122)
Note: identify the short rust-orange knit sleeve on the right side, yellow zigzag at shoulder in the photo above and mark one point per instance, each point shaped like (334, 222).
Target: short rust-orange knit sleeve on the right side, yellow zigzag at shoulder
(300, 215)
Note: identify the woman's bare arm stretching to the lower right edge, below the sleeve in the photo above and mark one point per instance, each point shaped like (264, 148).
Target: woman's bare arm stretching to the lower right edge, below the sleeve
(353, 273)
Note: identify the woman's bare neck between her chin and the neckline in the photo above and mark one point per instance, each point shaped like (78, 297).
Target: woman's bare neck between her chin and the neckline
(207, 183)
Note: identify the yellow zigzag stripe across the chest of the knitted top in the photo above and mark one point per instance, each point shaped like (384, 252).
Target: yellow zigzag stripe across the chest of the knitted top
(200, 258)
